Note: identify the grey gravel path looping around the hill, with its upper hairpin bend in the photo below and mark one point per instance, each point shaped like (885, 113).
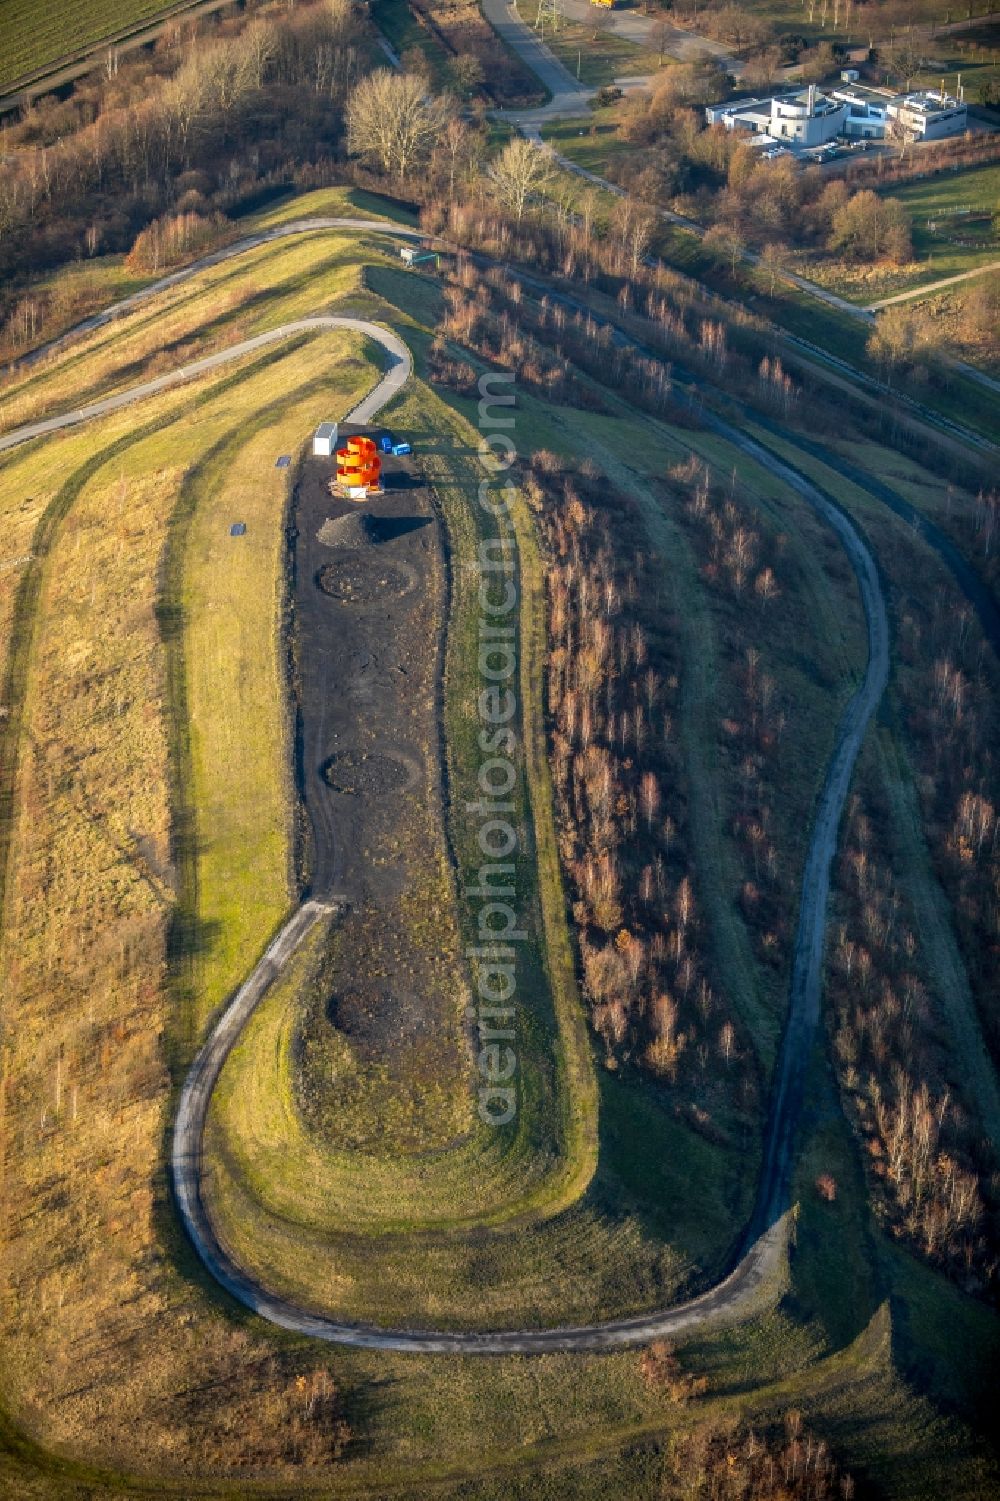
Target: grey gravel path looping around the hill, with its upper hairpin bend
(735, 1295)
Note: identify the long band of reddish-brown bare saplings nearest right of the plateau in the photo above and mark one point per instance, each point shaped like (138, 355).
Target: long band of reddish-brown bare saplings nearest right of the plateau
(613, 696)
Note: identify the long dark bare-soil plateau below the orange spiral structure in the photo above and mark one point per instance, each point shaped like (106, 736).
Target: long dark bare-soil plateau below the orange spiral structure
(381, 1024)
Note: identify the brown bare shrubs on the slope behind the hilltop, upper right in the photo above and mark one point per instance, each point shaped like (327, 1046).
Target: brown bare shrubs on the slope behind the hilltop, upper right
(669, 317)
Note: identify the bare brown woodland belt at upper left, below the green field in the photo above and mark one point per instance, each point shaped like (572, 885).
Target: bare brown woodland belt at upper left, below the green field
(182, 130)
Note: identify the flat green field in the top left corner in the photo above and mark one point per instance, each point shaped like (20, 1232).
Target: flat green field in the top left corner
(40, 35)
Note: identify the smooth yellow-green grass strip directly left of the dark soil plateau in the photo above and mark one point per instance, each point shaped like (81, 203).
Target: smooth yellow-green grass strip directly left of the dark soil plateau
(226, 670)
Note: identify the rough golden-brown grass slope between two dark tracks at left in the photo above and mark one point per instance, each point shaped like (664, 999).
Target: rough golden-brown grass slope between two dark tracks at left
(95, 1313)
